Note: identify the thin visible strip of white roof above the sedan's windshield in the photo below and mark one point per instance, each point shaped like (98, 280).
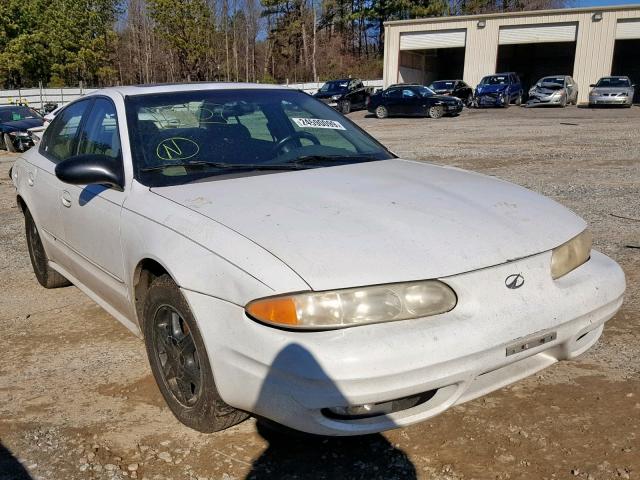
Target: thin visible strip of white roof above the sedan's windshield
(133, 90)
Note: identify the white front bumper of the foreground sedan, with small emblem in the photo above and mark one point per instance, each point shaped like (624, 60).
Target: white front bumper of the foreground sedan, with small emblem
(290, 377)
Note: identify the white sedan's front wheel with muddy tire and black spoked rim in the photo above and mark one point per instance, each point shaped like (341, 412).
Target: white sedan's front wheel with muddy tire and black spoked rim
(179, 362)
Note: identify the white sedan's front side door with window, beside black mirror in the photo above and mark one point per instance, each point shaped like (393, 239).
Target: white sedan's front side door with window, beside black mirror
(91, 213)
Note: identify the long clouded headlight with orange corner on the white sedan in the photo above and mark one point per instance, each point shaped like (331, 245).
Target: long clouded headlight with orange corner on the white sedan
(354, 306)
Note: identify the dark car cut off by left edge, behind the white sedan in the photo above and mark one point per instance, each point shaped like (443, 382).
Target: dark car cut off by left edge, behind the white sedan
(15, 120)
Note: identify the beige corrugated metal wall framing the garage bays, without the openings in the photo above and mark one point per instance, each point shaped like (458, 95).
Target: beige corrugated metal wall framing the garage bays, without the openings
(594, 47)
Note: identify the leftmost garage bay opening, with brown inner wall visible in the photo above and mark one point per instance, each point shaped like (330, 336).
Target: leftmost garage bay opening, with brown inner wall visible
(425, 66)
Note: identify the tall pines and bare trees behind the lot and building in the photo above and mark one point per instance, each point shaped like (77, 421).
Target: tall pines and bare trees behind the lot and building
(109, 42)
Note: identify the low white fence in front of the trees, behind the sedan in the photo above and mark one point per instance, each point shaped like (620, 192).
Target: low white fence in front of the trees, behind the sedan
(37, 97)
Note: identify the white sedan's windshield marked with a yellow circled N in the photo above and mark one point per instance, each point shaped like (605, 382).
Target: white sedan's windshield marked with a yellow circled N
(180, 137)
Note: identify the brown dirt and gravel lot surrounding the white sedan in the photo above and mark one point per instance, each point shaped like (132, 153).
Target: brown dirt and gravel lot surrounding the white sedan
(77, 400)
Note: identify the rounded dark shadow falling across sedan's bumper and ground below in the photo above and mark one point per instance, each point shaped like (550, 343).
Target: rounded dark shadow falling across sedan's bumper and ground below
(292, 454)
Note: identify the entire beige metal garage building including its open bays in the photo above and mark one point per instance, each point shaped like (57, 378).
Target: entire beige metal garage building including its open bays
(586, 43)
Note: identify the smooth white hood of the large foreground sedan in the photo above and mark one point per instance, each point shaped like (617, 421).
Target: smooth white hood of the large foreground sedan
(383, 221)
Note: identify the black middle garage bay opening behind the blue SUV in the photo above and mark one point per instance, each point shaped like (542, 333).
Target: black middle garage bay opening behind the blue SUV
(532, 61)
